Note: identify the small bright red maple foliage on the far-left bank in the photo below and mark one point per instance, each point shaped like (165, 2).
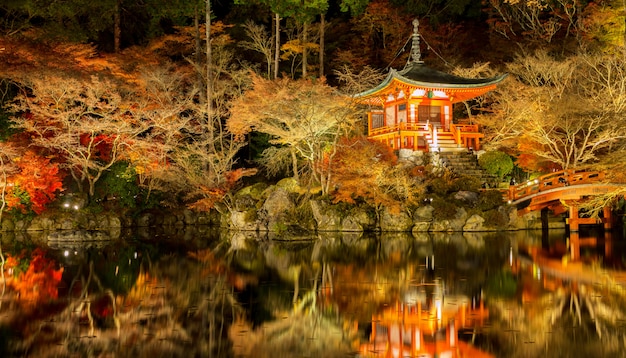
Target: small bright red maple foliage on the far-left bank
(39, 178)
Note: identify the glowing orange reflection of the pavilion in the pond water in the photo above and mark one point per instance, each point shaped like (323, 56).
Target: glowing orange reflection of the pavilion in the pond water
(426, 324)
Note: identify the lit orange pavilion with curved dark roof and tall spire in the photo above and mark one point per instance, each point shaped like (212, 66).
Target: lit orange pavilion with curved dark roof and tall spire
(412, 108)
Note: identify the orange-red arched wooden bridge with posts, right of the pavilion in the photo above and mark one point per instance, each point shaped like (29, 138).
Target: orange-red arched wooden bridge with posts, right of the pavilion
(560, 192)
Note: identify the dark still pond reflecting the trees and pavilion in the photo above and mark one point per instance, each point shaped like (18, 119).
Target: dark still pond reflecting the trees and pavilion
(222, 294)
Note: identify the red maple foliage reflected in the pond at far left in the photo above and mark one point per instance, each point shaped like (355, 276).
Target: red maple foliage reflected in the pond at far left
(39, 282)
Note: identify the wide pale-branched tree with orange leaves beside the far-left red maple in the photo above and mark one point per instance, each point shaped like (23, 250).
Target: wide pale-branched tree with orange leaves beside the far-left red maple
(85, 123)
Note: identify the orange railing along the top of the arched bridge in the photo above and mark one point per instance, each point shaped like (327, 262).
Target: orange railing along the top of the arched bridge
(554, 180)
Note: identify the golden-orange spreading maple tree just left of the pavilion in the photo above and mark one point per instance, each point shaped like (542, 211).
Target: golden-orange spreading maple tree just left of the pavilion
(304, 117)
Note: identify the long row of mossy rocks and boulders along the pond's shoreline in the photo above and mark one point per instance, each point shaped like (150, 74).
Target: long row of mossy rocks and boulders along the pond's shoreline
(278, 211)
